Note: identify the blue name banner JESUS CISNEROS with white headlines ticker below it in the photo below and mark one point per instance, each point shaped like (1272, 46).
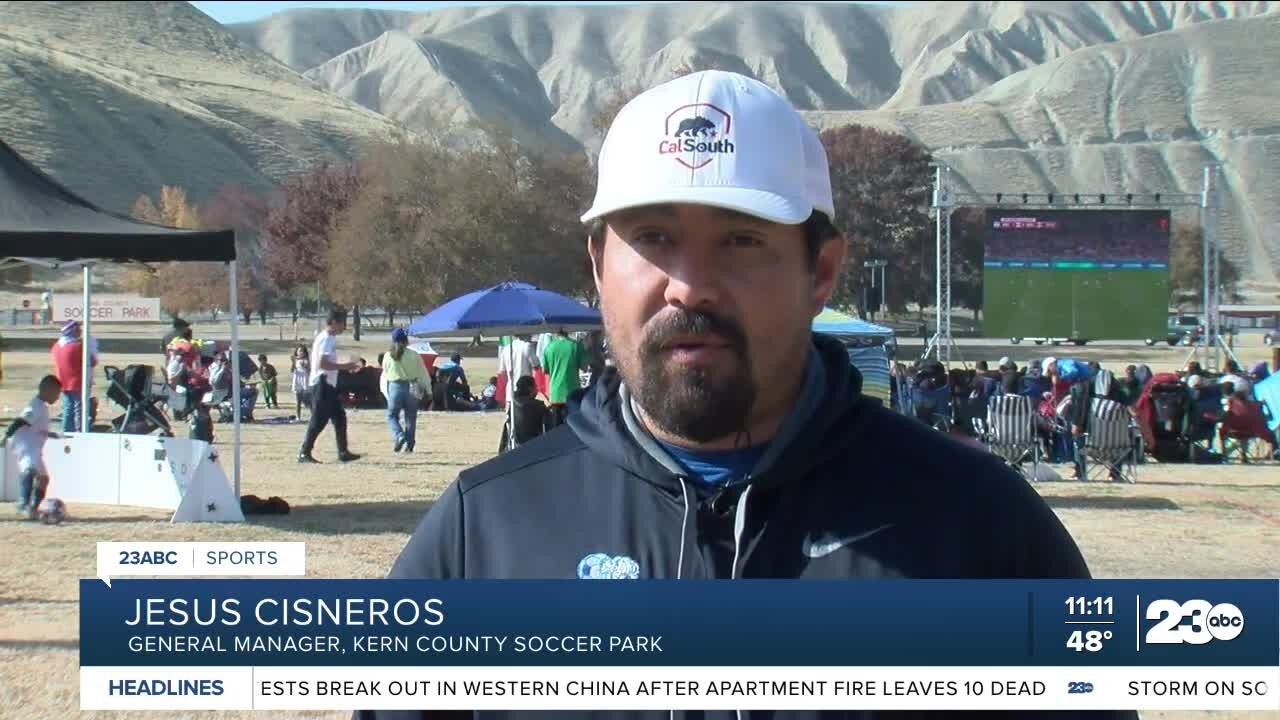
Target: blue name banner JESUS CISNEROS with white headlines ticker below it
(574, 645)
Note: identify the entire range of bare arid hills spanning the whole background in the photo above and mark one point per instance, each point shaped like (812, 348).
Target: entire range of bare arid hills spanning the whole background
(1017, 97)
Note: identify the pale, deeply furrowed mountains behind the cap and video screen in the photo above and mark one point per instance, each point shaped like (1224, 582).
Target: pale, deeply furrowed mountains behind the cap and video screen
(1020, 97)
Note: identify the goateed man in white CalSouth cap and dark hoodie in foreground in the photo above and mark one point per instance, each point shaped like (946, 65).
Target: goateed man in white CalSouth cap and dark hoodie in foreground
(732, 441)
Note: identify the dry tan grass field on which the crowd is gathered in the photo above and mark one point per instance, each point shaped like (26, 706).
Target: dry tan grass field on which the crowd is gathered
(1178, 522)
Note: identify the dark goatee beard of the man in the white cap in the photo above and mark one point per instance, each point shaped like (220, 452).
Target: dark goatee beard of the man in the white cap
(693, 404)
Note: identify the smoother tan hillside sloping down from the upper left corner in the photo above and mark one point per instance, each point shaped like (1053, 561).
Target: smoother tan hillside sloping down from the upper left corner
(121, 98)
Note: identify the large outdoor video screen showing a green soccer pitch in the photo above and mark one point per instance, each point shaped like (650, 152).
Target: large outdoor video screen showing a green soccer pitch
(1087, 275)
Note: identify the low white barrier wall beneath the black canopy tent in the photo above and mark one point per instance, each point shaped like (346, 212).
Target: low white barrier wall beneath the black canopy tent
(179, 475)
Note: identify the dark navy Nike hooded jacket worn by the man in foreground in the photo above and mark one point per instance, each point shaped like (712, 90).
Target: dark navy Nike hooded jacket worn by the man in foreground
(588, 487)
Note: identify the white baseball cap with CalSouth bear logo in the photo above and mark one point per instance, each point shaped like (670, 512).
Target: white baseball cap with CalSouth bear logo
(715, 139)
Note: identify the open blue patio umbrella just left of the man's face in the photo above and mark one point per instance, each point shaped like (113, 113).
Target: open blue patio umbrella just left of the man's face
(510, 308)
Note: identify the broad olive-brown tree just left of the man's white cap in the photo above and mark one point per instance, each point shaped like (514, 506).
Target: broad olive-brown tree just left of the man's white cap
(432, 222)
